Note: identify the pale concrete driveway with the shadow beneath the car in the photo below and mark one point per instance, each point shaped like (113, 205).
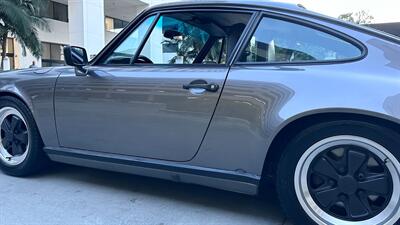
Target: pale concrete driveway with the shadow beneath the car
(80, 196)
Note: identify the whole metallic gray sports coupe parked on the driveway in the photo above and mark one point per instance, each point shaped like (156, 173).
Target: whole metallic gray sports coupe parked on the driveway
(229, 95)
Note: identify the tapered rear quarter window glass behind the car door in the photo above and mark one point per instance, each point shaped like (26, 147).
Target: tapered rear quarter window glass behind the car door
(280, 41)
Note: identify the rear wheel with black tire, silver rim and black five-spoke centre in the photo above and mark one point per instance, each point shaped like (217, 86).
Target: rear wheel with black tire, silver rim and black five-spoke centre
(342, 172)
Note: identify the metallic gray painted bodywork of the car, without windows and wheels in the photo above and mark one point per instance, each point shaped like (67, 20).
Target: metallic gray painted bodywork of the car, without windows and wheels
(256, 103)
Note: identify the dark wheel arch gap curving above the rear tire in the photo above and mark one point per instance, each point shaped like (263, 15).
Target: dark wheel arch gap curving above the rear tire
(300, 122)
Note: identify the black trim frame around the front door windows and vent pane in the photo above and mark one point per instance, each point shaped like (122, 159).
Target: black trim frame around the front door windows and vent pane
(107, 51)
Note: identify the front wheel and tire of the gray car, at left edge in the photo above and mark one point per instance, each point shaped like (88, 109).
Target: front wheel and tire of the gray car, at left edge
(30, 158)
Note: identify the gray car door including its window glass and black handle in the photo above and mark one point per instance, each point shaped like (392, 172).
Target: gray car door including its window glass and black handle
(153, 95)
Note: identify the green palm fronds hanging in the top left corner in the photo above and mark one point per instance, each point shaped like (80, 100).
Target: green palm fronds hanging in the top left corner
(22, 19)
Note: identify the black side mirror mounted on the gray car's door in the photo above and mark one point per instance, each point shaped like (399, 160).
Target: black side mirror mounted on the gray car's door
(76, 56)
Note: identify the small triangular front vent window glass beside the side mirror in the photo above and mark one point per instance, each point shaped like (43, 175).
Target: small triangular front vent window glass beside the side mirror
(125, 52)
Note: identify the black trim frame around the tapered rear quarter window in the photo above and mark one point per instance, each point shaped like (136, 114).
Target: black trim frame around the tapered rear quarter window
(306, 23)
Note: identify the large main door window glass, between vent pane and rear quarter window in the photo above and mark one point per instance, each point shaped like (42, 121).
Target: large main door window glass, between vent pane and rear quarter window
(193, 38)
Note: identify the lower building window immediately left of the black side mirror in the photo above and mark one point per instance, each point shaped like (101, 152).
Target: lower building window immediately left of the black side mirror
(52, 54)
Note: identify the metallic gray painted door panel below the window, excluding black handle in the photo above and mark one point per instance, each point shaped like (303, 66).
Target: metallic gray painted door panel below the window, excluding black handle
(141, 111)
